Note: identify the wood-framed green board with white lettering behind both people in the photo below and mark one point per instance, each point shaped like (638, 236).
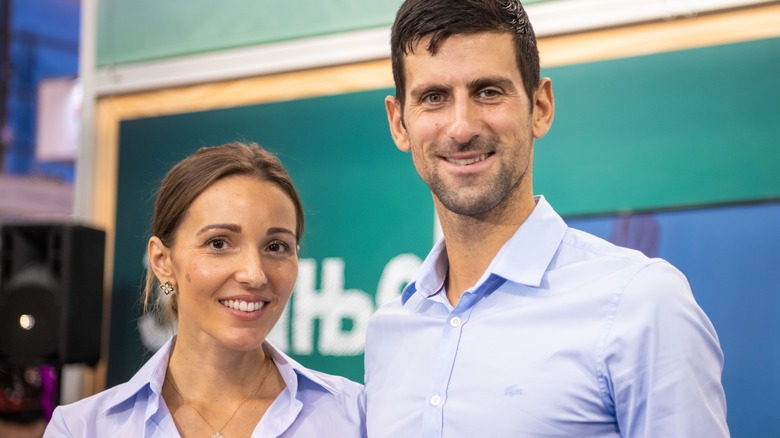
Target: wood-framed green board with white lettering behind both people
(673, 130)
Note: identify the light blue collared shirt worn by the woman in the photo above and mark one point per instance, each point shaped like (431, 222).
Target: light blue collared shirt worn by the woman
(311, 403)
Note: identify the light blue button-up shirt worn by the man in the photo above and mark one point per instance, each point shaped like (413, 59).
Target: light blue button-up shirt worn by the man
(565, 335)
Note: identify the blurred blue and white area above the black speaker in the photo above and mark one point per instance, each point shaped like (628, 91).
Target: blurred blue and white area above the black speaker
(40, 64)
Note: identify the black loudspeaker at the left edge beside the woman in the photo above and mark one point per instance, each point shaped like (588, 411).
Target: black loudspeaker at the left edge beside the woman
(51, 293)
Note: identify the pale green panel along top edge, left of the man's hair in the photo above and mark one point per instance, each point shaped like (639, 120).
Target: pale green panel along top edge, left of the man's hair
(131, 31)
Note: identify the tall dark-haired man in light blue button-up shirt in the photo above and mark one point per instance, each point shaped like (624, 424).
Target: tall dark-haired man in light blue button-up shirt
(516, 325)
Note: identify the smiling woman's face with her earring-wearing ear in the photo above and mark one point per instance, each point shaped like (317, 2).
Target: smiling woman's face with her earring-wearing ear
(234, 262)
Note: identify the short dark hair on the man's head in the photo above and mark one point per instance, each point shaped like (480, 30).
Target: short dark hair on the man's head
(439, 19)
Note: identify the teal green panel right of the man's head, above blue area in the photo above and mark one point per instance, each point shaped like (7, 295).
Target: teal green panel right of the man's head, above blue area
(671, 130)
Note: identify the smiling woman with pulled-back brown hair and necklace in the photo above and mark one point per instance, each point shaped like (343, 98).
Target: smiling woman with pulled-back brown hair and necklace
(224, 250)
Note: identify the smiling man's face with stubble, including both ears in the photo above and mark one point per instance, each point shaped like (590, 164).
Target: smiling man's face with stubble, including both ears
(468, 122)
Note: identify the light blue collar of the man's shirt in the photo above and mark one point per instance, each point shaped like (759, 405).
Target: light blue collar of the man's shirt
(523, 259)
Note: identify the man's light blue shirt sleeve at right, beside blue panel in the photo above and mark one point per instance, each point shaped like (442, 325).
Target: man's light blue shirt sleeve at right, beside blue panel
(663, 362)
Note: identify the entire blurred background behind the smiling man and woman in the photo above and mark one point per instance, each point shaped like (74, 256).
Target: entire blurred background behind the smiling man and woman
(666, 139)
